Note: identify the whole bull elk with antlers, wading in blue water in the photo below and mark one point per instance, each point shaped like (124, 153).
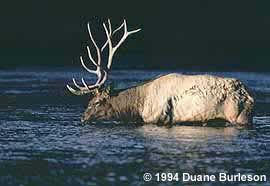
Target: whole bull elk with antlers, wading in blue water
(171, 98)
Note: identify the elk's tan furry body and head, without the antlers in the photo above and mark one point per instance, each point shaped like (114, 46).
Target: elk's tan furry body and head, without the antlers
(176, 98)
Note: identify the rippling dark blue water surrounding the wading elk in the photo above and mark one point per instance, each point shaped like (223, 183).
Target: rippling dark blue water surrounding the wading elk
(43, 143)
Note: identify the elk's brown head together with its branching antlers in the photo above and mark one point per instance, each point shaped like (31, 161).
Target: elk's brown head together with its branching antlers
(99, 107)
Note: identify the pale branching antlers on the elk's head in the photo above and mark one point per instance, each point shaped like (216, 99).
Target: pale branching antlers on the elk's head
(100, 72)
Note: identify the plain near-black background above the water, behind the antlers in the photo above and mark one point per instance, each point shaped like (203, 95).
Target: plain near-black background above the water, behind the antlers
(200, 35)
